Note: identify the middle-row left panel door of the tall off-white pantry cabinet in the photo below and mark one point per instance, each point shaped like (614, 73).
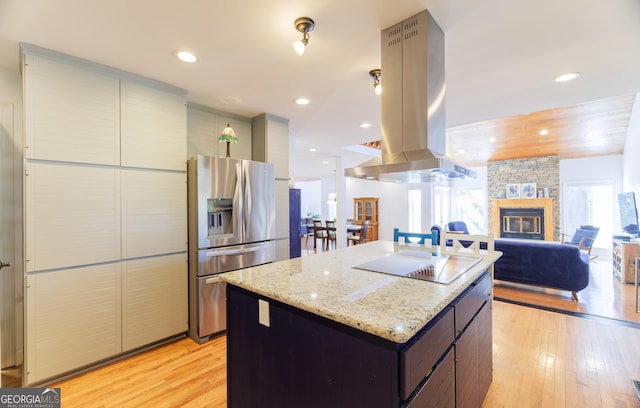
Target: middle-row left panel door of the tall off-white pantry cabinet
(72, 215)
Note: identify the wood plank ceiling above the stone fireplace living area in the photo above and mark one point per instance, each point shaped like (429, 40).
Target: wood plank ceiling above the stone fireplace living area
(588, 129)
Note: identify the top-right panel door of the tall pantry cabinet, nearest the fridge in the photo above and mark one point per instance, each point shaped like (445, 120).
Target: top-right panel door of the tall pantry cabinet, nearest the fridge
(154, 127)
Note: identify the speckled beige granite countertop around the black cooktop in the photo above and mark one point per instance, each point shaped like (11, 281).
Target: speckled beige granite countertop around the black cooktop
(327, 284)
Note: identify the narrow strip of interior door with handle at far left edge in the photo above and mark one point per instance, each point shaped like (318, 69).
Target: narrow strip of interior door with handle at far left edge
(7, 237)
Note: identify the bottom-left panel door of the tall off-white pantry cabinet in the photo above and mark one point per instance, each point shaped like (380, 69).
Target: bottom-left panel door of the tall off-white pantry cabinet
(73, 318)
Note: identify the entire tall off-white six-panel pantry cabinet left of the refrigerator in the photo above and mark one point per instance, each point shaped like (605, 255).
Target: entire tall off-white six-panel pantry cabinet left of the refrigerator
(105, 212)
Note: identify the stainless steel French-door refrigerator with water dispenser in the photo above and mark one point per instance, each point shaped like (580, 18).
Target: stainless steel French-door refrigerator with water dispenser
(231, 226)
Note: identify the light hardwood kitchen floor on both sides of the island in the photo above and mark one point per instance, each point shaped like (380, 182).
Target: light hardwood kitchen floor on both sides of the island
(540, 359)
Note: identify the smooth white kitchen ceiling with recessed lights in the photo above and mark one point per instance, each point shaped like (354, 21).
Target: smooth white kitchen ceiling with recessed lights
(501, 56)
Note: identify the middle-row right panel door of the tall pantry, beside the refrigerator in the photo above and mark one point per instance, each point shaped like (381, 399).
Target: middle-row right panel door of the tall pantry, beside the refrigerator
(154, 218)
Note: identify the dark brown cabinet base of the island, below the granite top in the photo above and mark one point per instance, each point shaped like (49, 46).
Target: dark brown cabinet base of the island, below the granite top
(301, 359)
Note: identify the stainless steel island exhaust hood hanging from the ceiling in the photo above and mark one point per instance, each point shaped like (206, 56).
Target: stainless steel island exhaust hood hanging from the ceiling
(413, 112)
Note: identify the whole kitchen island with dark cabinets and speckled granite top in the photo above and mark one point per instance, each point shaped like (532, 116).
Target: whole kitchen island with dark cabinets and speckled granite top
(320, 332)
